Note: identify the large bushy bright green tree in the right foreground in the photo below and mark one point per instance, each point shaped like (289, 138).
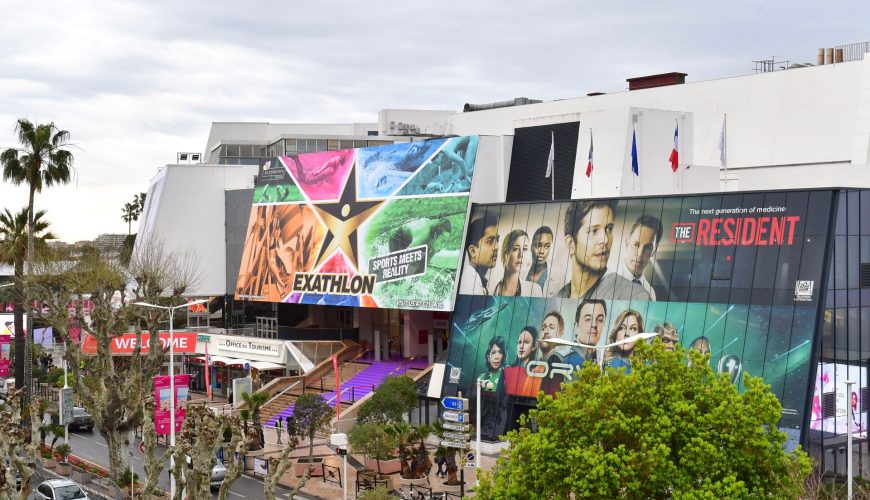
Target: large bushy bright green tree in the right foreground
(666, 430)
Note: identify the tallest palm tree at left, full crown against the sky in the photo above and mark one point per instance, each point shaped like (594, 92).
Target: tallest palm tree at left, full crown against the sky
(43, 160)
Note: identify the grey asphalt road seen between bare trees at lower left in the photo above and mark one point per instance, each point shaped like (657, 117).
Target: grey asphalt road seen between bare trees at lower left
(92, 446)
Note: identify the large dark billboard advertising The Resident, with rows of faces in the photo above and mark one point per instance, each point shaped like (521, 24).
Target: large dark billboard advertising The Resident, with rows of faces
(735, 275)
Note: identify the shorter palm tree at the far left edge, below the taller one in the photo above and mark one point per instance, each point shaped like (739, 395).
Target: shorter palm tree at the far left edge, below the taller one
(13, 250)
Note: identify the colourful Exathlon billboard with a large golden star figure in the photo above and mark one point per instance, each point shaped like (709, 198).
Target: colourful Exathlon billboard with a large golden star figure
(370, 227)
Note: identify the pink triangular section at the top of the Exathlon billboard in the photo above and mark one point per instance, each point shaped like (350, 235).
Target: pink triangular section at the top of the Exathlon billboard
(321, 176)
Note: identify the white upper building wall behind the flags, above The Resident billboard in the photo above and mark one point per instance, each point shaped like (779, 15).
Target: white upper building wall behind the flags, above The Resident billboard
(778, 120)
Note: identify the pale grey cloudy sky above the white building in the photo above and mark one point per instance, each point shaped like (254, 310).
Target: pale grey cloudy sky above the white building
(136, 82)
